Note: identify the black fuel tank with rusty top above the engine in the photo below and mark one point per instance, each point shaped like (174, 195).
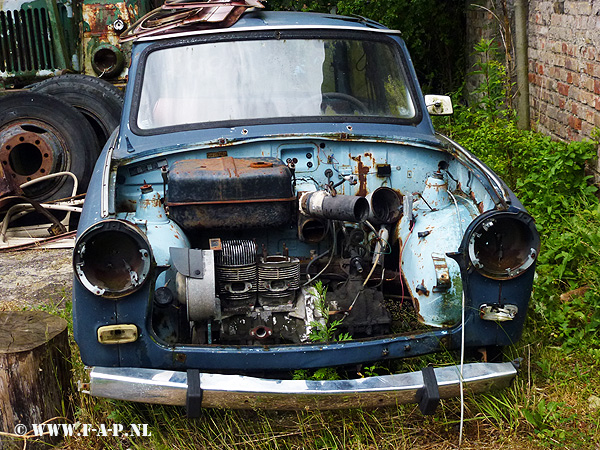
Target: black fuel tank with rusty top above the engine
(230, 193)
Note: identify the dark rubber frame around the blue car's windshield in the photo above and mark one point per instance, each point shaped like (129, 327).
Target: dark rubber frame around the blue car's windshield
(363, 35)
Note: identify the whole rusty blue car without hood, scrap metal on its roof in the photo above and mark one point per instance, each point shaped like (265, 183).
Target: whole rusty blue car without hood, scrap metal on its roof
(276, 201)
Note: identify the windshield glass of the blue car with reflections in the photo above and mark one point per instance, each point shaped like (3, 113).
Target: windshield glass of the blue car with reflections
(273, 79)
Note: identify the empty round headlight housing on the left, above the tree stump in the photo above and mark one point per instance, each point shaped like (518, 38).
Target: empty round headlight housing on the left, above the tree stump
(112, 258)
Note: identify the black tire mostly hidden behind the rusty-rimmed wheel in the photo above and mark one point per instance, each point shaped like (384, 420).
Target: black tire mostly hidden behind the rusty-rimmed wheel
(99, 101)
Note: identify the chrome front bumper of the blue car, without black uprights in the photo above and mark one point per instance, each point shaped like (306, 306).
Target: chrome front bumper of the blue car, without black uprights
(243, 392)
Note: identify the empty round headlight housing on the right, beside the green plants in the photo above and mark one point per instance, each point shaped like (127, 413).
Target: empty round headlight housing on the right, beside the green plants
(503, 244)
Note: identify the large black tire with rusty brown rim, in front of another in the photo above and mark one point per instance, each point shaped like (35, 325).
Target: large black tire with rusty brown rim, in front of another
(40, 135)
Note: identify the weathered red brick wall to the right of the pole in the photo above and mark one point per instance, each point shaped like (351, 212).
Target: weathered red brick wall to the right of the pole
(564, 67)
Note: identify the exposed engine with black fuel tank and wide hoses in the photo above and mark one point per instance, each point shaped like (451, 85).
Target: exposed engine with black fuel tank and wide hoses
(233, 290)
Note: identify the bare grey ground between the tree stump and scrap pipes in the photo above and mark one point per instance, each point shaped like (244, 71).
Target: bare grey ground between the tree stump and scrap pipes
(35, 277)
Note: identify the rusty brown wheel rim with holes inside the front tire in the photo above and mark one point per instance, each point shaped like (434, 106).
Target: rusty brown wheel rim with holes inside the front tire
(32, 149)
